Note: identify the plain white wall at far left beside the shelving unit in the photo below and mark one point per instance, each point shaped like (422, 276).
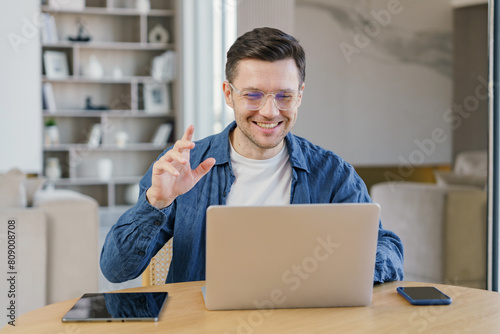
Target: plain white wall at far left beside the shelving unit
(20, 92)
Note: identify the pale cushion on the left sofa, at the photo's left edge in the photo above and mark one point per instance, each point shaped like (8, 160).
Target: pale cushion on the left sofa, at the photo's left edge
(13, 189)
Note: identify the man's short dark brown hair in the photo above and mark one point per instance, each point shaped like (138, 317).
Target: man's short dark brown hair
(268, 44)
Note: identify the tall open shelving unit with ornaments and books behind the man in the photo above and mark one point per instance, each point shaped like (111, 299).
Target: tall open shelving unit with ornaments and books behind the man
(119, 39)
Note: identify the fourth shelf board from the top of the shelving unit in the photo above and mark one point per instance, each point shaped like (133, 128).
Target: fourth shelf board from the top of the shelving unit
(106, 113)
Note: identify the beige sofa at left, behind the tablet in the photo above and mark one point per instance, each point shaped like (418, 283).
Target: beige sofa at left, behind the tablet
(56, 253)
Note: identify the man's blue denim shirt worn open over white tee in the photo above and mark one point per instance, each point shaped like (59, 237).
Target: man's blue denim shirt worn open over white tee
(318, 176)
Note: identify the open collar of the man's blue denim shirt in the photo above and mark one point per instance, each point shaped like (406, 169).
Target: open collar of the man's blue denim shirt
(221, 152)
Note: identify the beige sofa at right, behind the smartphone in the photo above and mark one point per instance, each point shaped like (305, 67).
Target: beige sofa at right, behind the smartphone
(443, 226)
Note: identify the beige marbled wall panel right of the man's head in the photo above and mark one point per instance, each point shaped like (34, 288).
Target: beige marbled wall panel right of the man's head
(378, 86)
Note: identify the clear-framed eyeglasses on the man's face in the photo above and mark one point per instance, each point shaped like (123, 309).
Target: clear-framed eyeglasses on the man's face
(256, 99)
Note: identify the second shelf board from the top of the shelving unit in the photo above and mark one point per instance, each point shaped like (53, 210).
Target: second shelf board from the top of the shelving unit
(111, 45)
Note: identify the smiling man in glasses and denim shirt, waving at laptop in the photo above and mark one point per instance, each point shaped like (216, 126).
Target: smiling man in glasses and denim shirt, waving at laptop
(254, 161)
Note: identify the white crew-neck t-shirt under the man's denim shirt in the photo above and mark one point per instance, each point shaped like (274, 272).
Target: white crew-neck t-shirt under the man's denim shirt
(260, 182)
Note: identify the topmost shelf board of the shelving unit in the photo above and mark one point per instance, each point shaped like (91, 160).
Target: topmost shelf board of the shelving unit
(111, 11)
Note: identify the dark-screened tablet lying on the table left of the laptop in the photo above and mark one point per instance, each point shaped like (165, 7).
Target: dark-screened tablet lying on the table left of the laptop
(119, 306)
